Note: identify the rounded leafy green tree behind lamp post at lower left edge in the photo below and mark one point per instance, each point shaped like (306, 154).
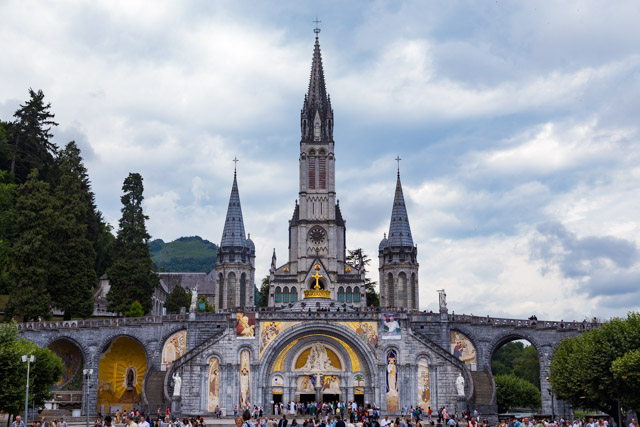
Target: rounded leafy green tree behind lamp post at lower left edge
(44, 372)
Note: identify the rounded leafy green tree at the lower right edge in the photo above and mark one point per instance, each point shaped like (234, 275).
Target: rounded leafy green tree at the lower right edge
(588, 370)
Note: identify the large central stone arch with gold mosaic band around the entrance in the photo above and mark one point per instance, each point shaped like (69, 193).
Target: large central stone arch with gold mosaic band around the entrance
(284, 352)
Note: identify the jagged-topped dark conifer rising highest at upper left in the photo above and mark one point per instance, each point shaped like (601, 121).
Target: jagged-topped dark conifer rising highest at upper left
(31, 137)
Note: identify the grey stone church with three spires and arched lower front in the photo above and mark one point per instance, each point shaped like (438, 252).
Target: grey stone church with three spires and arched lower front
(317, 340)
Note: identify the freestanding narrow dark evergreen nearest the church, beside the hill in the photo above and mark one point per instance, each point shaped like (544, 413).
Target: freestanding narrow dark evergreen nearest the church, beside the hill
(131, 276)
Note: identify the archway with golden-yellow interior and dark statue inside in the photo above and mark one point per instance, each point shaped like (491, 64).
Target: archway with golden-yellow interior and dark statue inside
(123, 365)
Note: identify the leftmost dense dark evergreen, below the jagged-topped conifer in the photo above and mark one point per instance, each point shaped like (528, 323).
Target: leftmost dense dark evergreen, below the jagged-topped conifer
(31, 253)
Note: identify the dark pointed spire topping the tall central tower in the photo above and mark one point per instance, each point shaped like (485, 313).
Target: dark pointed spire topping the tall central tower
(317, 115)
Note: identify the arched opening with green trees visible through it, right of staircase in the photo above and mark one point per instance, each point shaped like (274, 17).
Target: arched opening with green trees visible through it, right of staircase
(515, 366)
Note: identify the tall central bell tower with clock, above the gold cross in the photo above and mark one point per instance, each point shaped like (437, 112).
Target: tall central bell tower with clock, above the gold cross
(317, 237)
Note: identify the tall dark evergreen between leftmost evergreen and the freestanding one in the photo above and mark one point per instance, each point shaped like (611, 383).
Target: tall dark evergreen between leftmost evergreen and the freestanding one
(72, 275)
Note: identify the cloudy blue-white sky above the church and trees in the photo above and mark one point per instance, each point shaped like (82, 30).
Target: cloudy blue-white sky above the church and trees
(517, 123)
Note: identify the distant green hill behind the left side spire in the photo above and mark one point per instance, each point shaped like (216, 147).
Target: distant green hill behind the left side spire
(186, 254)
